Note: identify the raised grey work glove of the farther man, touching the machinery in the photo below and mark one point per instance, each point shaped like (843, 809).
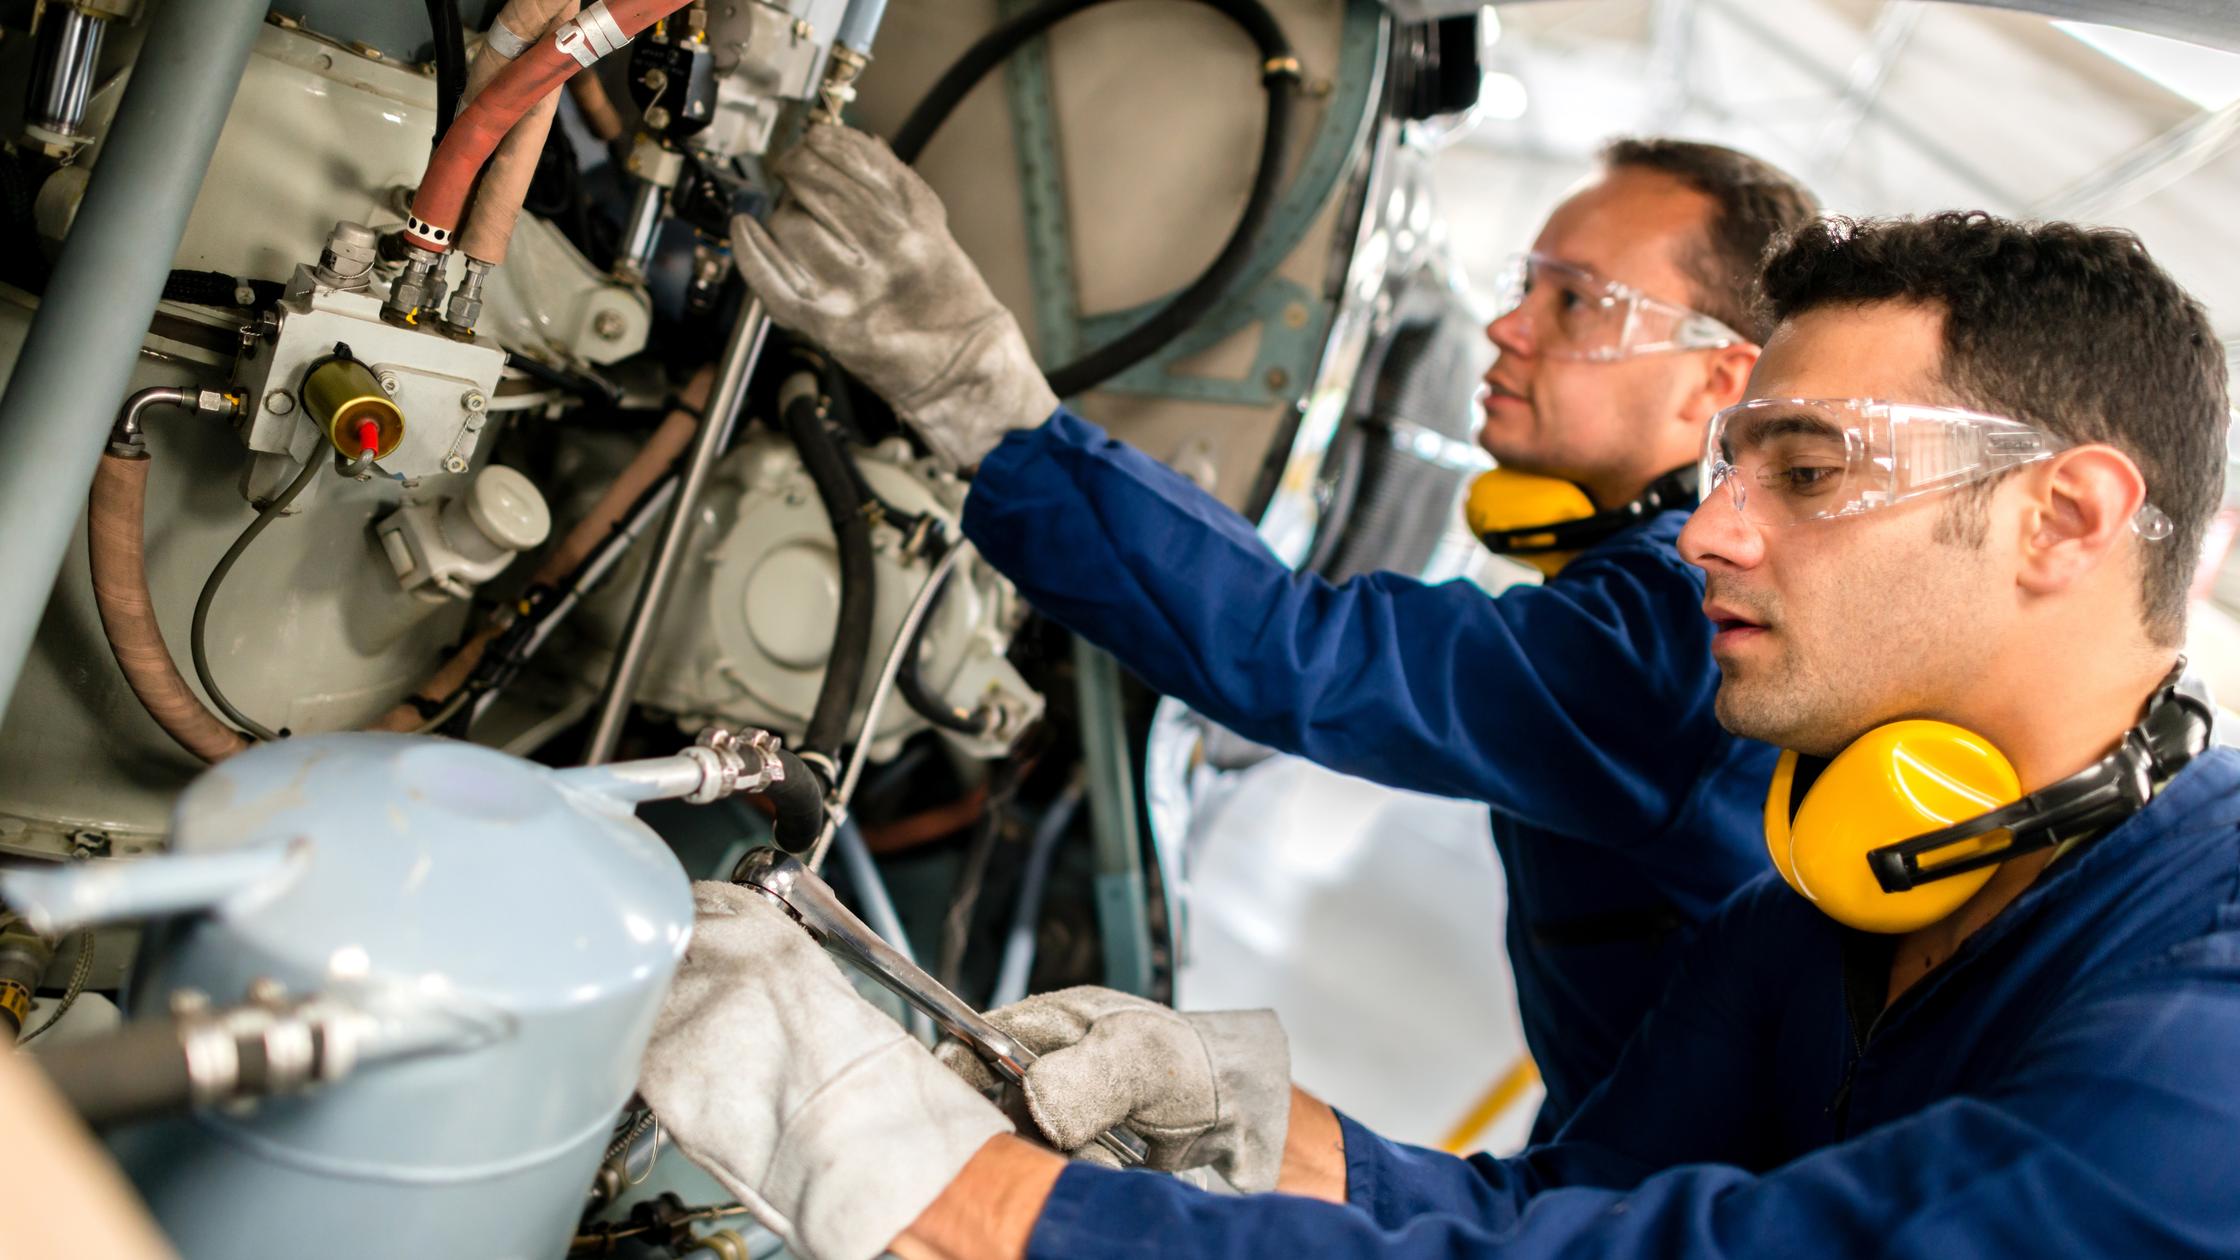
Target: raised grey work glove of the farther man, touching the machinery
(861, 261)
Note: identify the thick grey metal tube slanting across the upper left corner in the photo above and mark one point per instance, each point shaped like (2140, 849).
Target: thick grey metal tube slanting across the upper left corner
(84, 344)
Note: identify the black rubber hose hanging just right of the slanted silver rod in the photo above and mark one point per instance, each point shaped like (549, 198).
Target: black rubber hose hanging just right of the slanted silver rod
(852, 532)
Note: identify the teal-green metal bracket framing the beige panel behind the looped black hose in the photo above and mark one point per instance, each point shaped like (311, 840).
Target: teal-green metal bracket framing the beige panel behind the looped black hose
(1291, 319)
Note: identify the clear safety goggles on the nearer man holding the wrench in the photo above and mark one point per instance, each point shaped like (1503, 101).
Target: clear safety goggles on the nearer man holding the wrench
(1789, 461)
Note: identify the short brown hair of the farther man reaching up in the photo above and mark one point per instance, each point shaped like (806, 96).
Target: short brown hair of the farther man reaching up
(1753, 203)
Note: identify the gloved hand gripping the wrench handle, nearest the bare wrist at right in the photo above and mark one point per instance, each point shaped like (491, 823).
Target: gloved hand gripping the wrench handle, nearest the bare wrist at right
(1208, 1088)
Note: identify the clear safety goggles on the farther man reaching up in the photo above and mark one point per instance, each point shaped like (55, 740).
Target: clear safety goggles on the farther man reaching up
(1576, 315)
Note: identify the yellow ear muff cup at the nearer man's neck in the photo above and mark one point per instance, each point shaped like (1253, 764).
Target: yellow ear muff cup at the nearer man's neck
(1889, 786)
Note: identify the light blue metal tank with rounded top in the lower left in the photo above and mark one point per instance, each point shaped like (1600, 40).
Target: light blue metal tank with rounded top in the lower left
(528, 902)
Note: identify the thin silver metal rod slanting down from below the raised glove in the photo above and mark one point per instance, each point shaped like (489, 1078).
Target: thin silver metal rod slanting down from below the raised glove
(725, 405)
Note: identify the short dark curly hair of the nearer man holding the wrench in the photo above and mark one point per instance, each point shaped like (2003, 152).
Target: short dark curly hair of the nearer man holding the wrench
(2071, 328)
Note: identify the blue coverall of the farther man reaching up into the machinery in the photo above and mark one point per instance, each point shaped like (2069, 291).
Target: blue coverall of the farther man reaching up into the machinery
(1580, 712)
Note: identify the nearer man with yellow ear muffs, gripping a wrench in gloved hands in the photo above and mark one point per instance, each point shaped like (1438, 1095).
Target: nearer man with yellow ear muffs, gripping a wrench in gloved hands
(1988, 1001)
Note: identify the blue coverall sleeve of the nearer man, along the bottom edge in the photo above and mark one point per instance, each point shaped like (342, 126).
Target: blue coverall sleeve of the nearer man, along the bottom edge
(2111, 1133)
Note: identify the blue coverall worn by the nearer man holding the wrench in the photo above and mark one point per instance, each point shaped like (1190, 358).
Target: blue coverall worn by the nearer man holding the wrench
(2069, 1084)
